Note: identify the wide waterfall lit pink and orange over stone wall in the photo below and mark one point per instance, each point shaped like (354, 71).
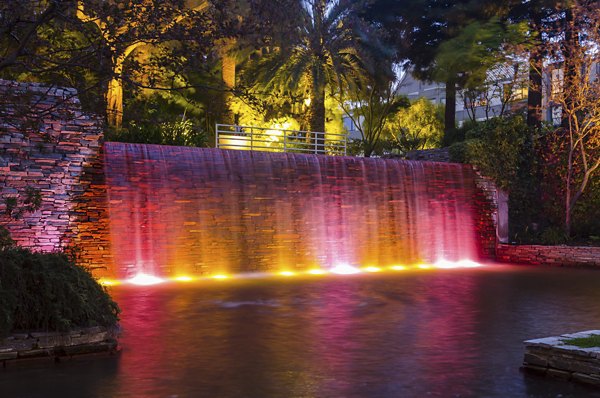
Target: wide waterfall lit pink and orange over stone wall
(201, 211)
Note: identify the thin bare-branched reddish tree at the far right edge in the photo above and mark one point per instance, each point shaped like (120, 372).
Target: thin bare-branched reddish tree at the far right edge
(575, 93)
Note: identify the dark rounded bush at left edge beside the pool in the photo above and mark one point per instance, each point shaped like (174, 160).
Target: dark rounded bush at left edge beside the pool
(40, 291)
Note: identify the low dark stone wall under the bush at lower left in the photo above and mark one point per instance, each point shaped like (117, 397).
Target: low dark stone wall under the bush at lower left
(54, 345)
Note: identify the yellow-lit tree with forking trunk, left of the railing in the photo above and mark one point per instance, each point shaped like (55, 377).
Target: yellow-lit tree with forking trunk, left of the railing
(126, 26)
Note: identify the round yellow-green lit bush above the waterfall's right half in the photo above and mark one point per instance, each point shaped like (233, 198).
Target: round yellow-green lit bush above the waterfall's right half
(419, 126)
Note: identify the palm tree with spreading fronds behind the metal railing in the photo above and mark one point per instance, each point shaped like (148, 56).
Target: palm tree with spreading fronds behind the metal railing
(327, 47)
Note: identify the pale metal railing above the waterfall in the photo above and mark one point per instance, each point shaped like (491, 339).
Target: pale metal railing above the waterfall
(230, 136)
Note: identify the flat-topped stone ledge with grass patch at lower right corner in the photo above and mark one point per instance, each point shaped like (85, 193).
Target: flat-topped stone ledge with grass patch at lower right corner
(553, 357)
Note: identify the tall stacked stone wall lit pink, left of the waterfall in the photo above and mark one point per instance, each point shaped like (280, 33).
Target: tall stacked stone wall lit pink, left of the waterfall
(47, 143)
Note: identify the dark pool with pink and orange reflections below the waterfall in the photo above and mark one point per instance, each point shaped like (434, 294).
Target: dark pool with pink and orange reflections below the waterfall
(443, 333)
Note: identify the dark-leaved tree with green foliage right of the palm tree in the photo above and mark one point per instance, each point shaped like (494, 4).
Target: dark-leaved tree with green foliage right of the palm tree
(431, 38)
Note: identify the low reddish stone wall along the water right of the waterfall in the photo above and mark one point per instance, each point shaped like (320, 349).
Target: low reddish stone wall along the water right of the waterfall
(549, 255)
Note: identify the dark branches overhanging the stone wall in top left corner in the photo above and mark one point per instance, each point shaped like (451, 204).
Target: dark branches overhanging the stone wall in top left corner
(43, 41)
